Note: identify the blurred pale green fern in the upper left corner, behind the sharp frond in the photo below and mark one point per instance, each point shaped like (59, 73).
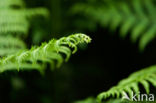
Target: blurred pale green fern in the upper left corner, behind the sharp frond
(15, 25)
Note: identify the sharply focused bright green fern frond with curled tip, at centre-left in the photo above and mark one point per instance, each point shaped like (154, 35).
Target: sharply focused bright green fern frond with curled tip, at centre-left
(51, 52)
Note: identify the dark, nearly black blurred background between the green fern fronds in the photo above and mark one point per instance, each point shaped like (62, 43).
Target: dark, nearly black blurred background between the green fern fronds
(94, 69)
